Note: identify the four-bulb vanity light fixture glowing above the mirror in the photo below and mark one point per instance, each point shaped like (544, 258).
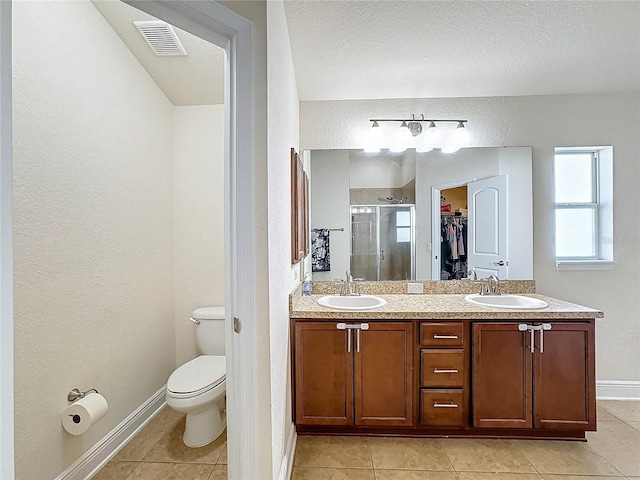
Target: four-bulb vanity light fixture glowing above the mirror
(410, 134)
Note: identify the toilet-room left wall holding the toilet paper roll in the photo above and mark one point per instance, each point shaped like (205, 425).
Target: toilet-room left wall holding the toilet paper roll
(93, 229)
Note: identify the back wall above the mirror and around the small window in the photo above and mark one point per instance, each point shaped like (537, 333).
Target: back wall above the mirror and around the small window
(543, 122)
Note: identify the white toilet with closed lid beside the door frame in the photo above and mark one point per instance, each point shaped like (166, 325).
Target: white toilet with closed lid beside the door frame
(198, 387)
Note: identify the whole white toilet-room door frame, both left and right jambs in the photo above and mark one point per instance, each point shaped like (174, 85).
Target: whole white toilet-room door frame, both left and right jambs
(224, 28)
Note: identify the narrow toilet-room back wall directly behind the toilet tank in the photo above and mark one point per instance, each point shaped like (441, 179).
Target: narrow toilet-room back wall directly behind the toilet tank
(198, 218)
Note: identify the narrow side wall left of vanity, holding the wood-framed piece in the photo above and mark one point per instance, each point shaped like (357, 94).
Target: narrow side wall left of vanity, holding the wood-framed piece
(283, 122)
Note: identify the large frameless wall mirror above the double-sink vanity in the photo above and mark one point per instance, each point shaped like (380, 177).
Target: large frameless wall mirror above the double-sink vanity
(421, 216)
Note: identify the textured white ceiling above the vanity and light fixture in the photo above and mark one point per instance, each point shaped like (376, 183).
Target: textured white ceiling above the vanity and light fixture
(421, 49)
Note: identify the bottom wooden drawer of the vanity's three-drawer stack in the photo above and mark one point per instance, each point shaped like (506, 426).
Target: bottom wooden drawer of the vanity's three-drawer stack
(442, 408)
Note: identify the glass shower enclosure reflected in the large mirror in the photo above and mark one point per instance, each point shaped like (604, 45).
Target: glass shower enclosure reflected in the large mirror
(383, 242)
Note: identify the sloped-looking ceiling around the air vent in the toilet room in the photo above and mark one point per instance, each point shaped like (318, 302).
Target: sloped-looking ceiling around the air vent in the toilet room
(197, 79)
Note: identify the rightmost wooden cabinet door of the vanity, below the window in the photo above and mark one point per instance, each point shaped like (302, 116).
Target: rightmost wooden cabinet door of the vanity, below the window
(564, 377)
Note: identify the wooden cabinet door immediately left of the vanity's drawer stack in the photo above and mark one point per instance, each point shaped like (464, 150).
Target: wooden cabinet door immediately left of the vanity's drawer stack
(384, 374)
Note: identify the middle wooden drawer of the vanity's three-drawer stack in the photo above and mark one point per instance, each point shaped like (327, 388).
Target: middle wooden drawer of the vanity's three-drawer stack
(442, 367)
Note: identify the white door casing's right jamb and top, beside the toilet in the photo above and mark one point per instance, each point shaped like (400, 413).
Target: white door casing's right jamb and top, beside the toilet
(215, 23)
